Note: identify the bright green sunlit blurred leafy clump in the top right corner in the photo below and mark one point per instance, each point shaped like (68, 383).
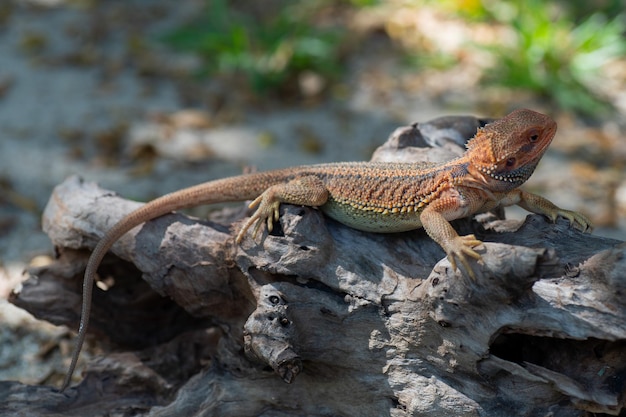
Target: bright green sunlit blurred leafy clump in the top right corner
(558, 52)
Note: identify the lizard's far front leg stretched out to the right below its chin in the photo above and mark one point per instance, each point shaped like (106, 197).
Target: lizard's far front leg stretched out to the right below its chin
(539, 205)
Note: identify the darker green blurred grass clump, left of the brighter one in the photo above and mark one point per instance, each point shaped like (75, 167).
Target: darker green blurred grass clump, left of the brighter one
(269, 49)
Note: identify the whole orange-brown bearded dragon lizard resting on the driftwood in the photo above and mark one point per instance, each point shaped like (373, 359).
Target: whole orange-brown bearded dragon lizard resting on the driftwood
(379, 197)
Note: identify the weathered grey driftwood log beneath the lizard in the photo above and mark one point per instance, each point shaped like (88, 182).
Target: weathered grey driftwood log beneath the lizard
(321, 320)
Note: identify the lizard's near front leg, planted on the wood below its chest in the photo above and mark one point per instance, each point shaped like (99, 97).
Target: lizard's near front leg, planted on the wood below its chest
(434, 221)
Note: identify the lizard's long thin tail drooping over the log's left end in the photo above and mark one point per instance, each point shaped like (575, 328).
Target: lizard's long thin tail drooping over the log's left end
(240, 188)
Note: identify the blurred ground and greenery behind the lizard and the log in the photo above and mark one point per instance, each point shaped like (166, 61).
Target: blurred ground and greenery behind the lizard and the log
(149, 96)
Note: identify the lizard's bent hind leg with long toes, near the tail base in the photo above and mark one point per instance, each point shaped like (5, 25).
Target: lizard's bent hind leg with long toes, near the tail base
(305, 191)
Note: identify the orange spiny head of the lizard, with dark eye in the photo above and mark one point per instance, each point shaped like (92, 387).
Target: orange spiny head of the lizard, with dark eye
(504, 154)
